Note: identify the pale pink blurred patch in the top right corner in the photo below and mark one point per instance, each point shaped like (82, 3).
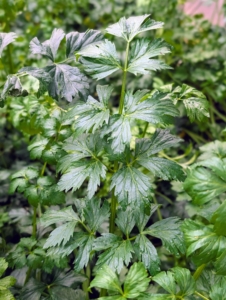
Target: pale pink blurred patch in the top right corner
(212, 12)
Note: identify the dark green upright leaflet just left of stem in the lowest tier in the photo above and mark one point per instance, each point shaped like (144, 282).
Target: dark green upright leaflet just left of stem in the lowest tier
(95, 214)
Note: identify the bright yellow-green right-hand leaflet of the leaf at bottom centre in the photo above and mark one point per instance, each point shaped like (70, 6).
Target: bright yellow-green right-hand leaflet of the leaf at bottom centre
(136, 282)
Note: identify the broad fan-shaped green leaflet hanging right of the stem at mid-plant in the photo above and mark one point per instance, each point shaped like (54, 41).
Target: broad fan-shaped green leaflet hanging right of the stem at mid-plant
(130, 184)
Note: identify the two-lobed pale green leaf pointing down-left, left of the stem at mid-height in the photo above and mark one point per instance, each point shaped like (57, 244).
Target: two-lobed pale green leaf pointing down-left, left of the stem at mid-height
(77, 174)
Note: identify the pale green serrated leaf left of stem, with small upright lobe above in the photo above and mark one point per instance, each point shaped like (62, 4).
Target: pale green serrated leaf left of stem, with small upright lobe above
(93, 114)
